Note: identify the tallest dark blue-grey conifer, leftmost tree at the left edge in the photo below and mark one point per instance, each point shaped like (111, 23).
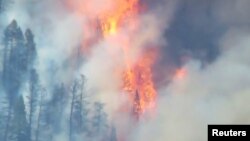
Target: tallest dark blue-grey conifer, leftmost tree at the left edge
(12, 72)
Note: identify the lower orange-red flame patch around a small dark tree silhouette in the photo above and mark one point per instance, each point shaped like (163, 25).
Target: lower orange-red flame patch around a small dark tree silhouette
(138, 82)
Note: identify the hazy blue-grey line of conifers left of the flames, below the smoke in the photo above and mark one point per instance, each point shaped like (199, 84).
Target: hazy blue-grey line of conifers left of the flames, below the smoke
(31, 112)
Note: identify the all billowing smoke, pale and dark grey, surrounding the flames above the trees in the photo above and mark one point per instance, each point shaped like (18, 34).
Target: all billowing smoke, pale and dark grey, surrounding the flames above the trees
(207, 39)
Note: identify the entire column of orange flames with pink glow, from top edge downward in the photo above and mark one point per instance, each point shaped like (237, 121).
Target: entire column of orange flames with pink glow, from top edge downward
(137, 78)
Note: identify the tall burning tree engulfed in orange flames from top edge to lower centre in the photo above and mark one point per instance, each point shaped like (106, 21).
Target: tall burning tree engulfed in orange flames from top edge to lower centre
(121, 22)
